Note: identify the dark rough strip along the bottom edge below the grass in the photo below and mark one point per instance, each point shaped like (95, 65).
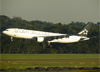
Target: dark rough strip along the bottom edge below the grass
(52, 69)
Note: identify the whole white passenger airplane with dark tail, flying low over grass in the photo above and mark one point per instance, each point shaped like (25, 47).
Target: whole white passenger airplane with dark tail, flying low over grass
(51, 37)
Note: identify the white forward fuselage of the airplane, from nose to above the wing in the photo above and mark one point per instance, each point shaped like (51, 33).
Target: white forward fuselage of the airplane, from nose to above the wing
(28, 34)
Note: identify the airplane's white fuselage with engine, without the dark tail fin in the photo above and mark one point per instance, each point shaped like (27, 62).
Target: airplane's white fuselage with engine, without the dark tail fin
(40, 35)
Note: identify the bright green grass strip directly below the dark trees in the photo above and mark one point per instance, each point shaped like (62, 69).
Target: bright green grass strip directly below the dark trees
(47, 56)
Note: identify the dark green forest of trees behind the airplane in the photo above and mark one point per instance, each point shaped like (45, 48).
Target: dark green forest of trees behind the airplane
(20, 46)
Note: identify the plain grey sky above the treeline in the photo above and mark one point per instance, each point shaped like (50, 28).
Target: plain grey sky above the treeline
(63, 11)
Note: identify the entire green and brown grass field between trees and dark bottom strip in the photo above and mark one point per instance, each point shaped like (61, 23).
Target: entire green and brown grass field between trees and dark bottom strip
(23, 61)
